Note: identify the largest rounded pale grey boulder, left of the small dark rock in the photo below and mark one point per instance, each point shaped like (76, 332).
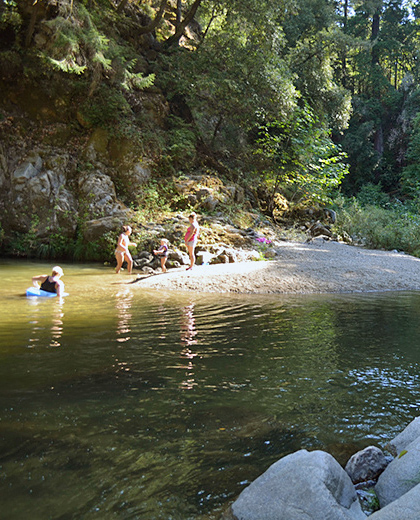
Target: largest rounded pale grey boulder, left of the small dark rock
(302, 486)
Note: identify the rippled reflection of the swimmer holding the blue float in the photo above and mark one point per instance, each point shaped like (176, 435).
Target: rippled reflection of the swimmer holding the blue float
(40, 329)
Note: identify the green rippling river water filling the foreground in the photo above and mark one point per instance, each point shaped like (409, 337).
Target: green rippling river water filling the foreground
(122, 402)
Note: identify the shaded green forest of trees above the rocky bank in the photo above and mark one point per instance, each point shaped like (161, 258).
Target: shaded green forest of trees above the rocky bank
(315, 102)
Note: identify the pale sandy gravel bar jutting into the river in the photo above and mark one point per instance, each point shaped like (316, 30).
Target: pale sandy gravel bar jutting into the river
(317, 267)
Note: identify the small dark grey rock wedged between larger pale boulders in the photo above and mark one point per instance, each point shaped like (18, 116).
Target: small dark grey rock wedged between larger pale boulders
(366, 465)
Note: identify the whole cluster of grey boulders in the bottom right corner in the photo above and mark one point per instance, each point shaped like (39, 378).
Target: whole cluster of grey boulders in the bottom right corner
(313, 486)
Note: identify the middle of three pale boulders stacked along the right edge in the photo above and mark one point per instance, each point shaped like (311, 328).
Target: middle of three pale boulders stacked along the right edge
(402, 474)
